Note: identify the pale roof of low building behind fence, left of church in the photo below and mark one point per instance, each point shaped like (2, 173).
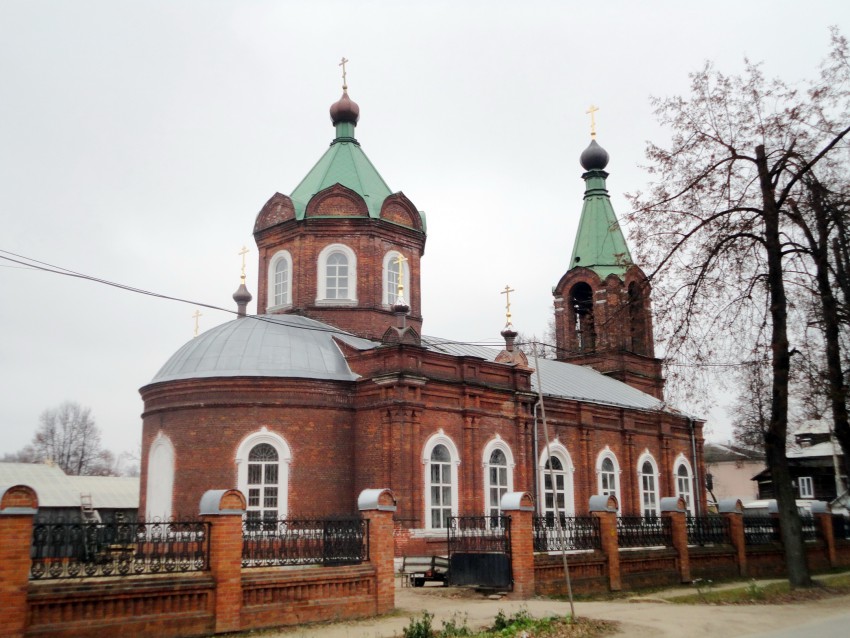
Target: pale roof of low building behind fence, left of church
(54, 488)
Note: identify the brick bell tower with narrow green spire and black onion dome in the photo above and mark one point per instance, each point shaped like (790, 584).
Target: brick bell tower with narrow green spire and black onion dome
(603, 314)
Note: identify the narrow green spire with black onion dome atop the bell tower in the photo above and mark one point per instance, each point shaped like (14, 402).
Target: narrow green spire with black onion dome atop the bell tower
(600, 244)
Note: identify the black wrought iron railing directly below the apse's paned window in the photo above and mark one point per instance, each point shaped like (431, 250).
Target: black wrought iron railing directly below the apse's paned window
(338, 541)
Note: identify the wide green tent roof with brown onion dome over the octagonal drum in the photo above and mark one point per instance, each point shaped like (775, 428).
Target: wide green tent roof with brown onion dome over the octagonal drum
(343, 163)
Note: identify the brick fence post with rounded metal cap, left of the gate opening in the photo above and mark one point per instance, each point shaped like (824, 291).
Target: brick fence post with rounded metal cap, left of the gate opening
(378, 506)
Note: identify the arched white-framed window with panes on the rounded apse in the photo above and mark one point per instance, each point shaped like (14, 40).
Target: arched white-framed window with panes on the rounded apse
(262, 471)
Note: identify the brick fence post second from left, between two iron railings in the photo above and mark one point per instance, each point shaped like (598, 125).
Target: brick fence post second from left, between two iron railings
(224, 509)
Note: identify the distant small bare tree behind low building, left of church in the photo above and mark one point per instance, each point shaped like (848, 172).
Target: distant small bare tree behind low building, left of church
(67, 435)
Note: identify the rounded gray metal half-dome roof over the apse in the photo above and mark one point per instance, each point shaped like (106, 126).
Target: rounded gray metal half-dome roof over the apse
(264, 346)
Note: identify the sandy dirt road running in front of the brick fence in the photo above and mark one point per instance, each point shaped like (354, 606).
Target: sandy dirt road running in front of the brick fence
(641, 618)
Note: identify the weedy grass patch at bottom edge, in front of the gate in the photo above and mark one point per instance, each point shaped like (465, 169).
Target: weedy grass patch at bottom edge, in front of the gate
(520, 624)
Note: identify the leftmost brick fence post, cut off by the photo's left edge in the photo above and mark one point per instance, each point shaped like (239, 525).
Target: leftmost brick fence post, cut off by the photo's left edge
(18, 505)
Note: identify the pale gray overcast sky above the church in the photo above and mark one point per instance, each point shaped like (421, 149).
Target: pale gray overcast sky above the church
(138, 140)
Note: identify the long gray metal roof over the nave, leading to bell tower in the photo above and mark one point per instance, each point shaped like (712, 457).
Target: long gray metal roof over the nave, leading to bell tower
(565, 380)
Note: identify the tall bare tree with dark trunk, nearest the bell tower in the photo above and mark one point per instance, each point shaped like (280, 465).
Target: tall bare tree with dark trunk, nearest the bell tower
(716, 225)
